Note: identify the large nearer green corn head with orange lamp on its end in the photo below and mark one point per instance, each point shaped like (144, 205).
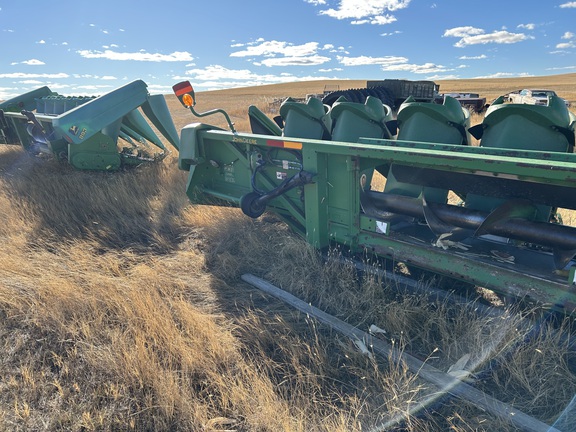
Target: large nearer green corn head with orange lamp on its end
(483, 214)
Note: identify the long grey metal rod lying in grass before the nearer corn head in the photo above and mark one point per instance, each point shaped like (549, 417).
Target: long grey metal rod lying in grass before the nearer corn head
(445, 382)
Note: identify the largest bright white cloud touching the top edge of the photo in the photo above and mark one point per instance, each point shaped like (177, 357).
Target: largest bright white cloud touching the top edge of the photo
(365, 11)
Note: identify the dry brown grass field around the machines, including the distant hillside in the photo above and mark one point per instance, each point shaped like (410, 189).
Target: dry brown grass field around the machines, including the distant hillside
(122, 308)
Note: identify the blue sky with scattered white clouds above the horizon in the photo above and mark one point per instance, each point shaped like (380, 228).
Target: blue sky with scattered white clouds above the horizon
(80, 47)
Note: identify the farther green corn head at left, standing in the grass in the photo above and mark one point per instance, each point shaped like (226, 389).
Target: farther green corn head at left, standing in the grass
(88, 131)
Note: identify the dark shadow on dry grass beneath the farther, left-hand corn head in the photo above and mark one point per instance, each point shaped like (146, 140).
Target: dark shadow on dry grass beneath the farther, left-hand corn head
(137, 207)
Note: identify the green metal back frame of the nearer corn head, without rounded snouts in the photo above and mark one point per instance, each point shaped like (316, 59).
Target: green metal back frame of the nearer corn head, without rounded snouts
(328, 211)
